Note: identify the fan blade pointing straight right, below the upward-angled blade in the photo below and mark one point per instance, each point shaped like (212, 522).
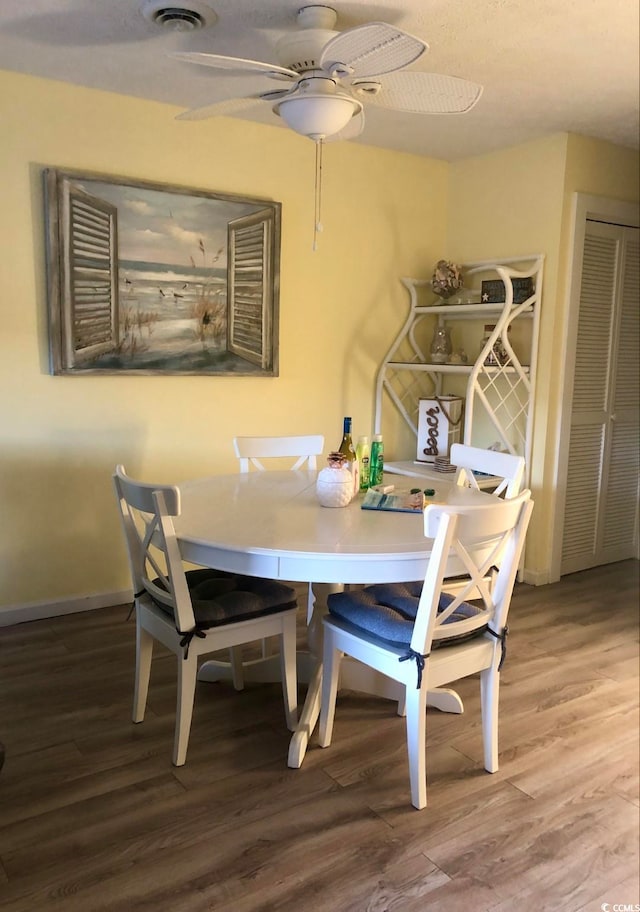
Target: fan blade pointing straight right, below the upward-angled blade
(422, 93)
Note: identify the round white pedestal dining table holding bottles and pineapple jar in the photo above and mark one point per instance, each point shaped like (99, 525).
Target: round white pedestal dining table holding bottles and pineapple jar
(270, 524)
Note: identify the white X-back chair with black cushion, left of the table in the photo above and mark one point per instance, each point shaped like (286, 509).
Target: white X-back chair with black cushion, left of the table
(194, 612)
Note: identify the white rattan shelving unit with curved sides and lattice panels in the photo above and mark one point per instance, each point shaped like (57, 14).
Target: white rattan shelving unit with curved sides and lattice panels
(498, 396)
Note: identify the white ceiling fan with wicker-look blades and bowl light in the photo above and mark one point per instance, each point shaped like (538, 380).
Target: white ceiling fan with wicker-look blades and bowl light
(332, 75)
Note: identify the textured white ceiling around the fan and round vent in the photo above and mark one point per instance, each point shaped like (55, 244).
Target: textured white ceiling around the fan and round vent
(546, 65)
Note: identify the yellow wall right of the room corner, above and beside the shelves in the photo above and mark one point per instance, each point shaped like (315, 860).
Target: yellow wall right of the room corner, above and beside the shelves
(518, 201)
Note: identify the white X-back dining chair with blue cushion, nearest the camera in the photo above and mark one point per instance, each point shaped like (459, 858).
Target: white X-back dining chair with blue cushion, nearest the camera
(425, 641)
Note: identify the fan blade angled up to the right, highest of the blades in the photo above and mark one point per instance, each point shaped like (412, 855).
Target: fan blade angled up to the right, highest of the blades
(372, 49)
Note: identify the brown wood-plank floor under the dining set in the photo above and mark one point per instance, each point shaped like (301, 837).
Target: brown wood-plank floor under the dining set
(94, 817)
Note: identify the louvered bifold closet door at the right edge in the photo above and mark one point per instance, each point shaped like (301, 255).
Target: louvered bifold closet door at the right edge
(601, 510)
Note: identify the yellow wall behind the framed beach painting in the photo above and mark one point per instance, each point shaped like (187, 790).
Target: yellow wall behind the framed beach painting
(339, 307)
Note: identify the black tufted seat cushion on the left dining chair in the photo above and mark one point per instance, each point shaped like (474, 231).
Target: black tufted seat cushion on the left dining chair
(221, 598)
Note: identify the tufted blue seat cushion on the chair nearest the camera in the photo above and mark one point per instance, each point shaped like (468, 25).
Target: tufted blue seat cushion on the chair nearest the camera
(388, 612)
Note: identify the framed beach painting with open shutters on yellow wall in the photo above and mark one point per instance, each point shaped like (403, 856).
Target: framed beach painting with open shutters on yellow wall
(145, 278)
